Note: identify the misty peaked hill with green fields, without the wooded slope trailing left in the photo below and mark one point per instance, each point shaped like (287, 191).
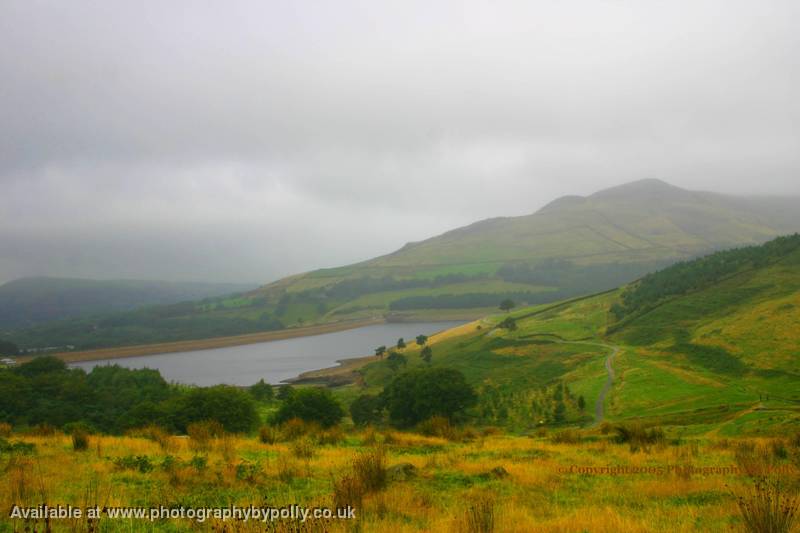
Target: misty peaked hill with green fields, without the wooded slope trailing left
(574, 245)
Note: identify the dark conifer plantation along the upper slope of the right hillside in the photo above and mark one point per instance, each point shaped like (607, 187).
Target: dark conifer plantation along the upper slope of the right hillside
(687, 276)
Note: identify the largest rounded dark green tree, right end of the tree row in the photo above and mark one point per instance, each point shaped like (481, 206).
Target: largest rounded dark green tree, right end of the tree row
(417, 395)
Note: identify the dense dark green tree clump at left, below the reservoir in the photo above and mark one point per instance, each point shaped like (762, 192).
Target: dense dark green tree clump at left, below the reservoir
(112, 399)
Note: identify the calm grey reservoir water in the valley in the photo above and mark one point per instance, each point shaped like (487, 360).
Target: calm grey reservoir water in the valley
(276, 360)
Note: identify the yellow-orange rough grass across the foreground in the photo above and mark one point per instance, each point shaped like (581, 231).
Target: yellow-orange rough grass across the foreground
(473, 481)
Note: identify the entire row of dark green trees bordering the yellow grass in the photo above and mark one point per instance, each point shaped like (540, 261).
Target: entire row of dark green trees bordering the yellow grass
(113, 399)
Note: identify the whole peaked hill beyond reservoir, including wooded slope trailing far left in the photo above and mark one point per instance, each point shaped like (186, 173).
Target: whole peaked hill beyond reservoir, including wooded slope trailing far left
(571, 247)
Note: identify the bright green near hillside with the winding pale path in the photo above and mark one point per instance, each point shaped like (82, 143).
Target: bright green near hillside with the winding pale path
(711, 344)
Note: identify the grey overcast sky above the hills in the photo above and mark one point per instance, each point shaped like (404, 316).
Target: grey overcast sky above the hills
(242, 141)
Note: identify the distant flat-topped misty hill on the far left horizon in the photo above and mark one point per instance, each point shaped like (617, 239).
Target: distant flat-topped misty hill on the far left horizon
(29, 301)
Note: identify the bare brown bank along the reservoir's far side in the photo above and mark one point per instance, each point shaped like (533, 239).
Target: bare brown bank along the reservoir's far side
(122, 352)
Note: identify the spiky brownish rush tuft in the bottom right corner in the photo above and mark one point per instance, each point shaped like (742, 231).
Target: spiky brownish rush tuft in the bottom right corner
(767, 508)
